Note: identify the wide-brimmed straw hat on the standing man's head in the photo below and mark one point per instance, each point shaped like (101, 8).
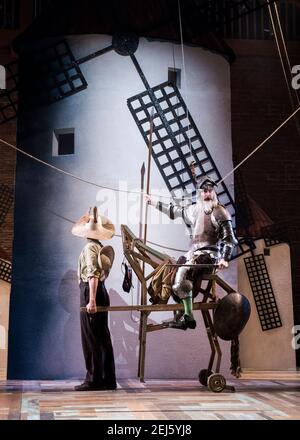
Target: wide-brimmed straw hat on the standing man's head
(94, 226)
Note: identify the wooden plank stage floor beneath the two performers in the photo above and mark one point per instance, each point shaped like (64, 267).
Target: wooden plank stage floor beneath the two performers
(257, 397)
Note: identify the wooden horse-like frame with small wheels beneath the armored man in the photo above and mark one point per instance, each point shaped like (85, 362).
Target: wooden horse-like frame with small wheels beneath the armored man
(138, 256)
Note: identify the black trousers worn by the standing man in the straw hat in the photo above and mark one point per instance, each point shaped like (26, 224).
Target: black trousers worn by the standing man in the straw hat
(95, 337)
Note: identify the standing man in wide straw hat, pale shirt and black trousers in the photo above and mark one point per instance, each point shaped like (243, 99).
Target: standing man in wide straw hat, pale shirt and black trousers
(95, 262)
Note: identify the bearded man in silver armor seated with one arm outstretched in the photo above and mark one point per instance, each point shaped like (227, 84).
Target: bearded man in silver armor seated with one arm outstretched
(212, 242)
